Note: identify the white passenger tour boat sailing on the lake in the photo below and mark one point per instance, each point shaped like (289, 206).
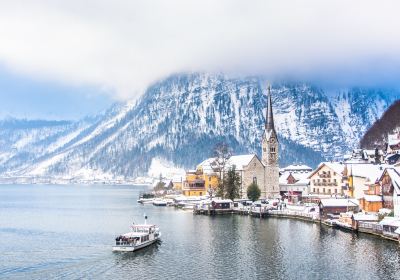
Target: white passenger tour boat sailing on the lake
(140, 237)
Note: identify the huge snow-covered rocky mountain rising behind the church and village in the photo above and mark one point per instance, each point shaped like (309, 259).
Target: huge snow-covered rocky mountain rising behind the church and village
(182, 117)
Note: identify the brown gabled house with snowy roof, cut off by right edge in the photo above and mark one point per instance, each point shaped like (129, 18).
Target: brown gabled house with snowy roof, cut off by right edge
(390, 186)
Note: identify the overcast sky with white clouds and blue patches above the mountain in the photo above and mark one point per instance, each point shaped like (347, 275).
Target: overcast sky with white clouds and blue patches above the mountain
(117, 48)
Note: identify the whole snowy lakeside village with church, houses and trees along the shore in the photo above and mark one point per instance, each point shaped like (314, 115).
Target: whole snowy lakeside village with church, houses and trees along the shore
(362, 193)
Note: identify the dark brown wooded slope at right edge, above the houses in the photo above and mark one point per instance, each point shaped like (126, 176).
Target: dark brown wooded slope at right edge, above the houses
(376, 135)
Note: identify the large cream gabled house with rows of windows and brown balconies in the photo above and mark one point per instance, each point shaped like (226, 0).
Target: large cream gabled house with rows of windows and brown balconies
(327, 179)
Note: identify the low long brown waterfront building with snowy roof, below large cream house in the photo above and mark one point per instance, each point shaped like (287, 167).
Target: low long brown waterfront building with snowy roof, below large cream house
(337, 206)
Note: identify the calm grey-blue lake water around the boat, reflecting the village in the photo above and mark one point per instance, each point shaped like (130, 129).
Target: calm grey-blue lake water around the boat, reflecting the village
(52, 232)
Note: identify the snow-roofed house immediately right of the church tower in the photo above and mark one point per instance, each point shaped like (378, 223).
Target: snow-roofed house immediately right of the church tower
(294, 182)
